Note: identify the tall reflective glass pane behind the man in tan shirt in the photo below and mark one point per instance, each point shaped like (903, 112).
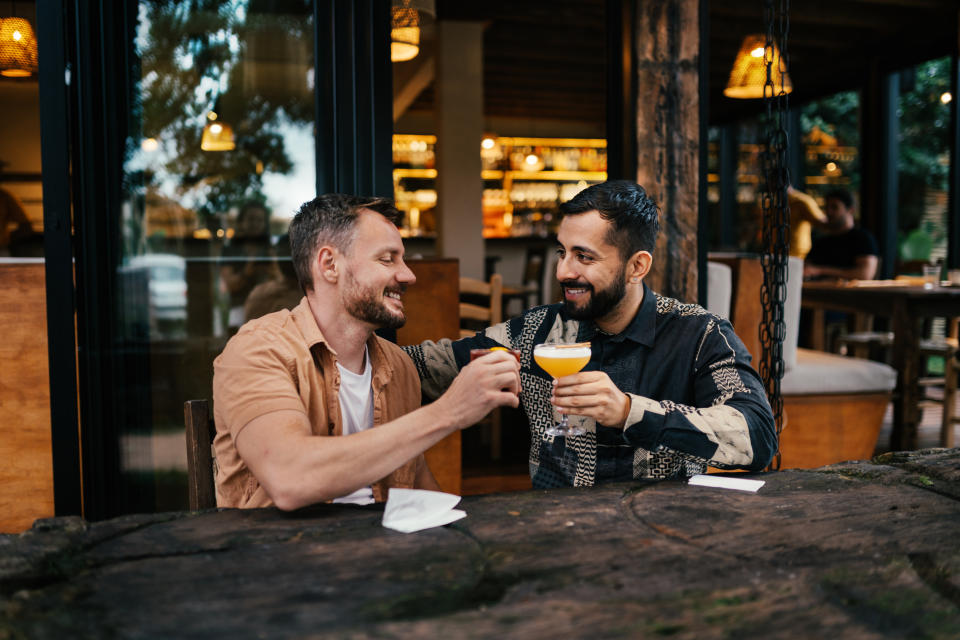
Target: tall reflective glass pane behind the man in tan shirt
(223, 107)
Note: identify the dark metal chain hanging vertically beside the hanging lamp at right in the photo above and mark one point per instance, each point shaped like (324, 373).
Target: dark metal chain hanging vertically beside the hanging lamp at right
(776, 211)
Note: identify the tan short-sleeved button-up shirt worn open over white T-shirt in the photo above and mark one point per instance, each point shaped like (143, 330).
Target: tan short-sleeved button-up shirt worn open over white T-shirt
(281, 361)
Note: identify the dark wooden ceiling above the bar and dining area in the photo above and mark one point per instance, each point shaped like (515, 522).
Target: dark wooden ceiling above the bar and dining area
(548, 59)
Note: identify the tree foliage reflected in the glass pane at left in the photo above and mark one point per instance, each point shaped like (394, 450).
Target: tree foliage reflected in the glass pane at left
(196, 54)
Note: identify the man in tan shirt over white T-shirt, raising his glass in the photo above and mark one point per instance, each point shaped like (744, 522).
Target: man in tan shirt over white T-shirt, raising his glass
(290, 380)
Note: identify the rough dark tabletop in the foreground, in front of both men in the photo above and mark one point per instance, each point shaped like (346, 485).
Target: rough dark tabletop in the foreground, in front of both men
(854, 550)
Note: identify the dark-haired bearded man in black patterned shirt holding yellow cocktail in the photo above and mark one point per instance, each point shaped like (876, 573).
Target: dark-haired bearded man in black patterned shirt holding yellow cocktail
(668, 389)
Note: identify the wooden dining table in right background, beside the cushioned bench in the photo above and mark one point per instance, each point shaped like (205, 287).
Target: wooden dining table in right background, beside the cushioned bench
(906, 305)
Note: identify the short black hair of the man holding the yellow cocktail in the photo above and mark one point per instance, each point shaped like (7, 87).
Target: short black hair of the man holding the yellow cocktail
(633, 215)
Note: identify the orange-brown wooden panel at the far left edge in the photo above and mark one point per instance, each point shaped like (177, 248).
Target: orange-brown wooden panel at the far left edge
(26, 475)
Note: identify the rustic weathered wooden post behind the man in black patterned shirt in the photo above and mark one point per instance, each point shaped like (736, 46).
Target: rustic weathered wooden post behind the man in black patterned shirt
(668, 136)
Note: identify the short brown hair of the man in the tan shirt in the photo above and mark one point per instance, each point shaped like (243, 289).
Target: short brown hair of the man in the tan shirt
(330, 219)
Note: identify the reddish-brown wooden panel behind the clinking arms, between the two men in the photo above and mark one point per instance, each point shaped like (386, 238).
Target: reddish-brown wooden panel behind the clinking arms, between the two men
(432, 306)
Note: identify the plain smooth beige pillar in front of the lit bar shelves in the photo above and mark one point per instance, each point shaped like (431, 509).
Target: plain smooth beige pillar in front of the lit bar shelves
(459, 108)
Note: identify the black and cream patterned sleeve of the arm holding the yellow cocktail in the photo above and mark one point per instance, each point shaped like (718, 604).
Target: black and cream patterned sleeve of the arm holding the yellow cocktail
(730, 425)
